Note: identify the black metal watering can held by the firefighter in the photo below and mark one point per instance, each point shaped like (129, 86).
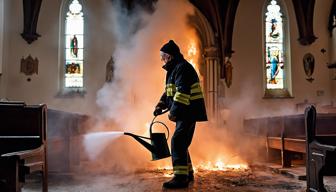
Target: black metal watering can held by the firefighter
(158, 146)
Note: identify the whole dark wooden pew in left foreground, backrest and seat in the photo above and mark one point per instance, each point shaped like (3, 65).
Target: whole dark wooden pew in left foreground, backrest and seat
(23, 146)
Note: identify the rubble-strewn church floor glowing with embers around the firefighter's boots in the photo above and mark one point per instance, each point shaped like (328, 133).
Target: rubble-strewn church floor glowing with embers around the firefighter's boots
(253, 179)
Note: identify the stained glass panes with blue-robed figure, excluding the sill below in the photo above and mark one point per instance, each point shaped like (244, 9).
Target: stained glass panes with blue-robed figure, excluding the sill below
(274, 47)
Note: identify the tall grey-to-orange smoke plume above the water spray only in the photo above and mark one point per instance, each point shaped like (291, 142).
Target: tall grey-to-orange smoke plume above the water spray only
(139, 78)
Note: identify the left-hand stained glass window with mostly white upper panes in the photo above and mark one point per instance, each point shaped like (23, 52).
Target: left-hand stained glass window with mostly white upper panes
(74, 37)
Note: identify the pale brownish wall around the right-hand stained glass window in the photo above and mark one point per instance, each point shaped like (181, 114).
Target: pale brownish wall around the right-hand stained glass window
(245, 96)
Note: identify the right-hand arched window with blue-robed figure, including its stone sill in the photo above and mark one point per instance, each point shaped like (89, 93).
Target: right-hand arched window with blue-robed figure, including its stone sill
(277, 82)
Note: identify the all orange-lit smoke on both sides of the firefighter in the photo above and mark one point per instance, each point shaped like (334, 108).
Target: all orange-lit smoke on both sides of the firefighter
(127, 103)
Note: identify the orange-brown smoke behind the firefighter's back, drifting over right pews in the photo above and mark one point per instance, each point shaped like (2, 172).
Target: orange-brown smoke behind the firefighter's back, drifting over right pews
(240, 106)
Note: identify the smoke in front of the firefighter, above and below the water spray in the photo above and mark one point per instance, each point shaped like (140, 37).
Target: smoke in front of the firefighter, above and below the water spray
(127, 103)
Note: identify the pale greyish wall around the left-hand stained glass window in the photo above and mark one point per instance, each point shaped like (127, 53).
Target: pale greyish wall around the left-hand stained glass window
(44, 87)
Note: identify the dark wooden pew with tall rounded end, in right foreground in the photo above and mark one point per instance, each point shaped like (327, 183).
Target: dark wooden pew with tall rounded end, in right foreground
(321, 153)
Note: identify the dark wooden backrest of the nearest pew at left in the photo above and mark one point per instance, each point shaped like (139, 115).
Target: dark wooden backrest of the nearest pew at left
(22, 127)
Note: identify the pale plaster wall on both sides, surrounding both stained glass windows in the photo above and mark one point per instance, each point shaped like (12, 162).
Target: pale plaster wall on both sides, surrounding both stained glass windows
(244, 97)
